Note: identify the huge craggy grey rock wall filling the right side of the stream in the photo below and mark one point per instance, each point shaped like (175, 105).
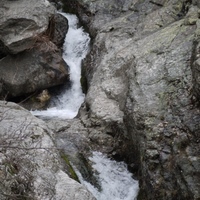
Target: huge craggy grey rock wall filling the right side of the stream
(143, 76)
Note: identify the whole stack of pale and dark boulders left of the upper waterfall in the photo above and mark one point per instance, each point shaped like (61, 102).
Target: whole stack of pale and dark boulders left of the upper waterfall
(31, 36)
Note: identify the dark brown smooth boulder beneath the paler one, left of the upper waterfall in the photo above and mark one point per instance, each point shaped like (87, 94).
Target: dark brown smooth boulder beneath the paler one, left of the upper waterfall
(39, 68)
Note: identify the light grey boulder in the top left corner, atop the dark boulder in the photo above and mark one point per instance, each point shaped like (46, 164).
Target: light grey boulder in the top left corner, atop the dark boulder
(21, 22)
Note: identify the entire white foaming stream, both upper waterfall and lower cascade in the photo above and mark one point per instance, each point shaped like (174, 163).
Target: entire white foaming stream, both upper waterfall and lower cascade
(116, 181)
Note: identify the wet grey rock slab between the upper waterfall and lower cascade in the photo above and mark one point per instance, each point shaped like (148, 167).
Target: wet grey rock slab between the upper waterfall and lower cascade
(75, 143)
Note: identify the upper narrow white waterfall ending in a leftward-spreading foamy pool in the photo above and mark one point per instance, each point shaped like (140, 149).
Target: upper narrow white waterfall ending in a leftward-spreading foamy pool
(74, 51)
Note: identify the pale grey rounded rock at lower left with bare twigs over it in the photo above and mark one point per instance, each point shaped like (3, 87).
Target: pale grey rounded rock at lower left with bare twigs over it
(30, 165)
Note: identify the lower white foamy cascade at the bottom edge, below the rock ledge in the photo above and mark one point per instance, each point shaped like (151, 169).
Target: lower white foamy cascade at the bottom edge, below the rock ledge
(116, 181)
